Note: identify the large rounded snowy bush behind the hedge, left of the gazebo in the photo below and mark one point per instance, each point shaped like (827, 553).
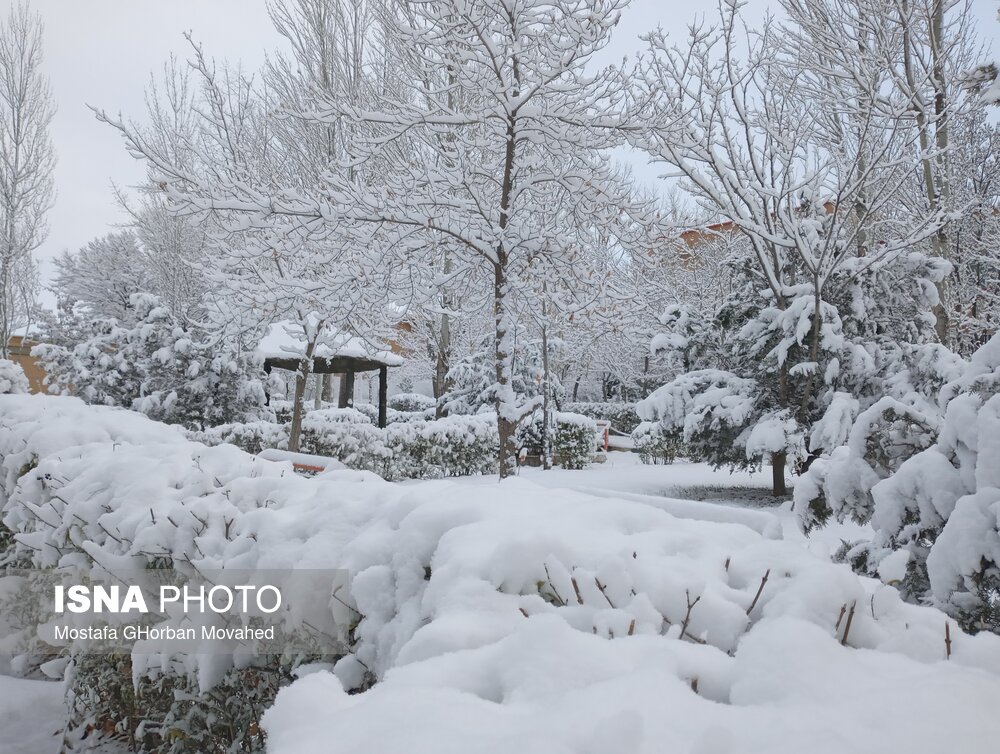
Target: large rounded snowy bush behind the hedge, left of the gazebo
(154, 364)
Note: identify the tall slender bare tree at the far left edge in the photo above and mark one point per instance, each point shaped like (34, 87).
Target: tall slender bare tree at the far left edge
(27, 161)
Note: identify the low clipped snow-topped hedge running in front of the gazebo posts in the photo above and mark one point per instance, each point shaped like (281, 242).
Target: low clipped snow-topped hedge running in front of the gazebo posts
(414, 449)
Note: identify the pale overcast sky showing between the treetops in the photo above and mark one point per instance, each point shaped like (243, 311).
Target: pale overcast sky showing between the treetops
(102, 52)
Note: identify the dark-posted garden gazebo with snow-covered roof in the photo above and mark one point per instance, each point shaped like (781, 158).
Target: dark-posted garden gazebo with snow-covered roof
(339, 353)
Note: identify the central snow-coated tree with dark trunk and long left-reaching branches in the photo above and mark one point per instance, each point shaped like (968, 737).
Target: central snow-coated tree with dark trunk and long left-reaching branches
(506, 120)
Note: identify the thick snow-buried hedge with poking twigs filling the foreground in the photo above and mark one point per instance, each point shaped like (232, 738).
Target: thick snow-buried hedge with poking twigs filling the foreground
(516, 614)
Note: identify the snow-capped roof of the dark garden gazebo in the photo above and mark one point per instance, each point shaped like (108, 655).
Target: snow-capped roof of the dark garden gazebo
(283, 346)
